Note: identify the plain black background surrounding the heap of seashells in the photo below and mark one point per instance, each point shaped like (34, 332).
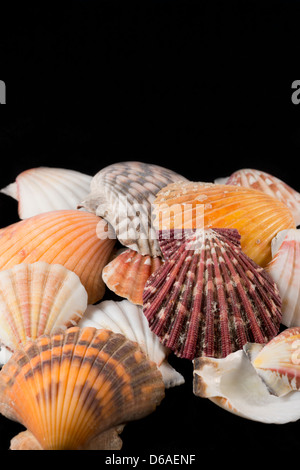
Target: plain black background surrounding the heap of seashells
(201, 87)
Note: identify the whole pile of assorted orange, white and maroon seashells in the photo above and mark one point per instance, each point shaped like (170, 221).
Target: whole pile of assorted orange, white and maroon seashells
(209, 272)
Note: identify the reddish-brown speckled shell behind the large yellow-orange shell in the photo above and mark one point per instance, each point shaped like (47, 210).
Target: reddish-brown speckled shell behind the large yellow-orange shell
(269, 184)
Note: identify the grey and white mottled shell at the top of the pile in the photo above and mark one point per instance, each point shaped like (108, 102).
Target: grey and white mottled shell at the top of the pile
(122, 193)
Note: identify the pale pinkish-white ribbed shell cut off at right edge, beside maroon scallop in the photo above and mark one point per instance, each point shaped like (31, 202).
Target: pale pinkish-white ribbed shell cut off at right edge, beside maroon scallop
(285, 270)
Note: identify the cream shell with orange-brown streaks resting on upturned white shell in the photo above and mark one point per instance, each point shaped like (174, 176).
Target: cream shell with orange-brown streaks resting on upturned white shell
(277, 363)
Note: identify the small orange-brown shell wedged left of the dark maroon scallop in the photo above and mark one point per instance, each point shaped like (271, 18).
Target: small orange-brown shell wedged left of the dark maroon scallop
(126, 275)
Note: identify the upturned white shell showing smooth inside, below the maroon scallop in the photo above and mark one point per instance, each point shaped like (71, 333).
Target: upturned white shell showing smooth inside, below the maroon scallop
(233, 384)
